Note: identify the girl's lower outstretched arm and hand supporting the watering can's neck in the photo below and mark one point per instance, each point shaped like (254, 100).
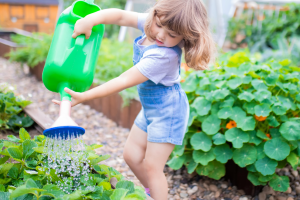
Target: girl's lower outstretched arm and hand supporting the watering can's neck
(128, 79)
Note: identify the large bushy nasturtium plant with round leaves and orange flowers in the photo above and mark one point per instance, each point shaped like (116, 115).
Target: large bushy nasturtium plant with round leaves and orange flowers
(244, 110)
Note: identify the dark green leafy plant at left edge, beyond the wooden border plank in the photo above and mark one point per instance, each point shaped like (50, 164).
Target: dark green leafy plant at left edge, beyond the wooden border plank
(11, 115)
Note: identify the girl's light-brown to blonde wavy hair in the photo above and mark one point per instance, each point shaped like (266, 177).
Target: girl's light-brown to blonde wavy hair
(189, 19)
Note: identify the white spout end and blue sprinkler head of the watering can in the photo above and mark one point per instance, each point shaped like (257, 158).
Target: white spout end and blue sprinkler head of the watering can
(64, 127)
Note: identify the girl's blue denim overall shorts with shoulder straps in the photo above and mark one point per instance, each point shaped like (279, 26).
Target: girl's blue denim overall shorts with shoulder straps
(165, 109)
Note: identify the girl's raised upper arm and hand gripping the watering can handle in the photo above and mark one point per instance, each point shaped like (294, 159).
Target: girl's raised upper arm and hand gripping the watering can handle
(108, 16)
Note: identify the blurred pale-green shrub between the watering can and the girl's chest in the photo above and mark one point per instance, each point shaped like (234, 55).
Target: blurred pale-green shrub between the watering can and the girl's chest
(114, 59)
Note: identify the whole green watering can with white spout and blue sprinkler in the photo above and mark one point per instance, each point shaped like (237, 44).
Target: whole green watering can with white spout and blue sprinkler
(71, 63)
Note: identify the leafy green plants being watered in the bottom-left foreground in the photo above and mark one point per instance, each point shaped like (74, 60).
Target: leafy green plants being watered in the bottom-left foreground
(24, 174)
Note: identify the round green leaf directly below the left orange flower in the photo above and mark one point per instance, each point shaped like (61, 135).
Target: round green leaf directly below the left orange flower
(237, 137)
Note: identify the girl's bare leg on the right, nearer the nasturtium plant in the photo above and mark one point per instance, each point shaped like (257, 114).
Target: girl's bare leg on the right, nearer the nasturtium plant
(156, 157)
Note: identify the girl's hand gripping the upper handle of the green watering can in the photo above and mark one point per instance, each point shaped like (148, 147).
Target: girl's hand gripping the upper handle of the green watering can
(83, 26)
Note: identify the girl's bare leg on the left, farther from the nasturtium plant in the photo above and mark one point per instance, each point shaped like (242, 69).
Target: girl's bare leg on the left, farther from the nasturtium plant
(134, 153)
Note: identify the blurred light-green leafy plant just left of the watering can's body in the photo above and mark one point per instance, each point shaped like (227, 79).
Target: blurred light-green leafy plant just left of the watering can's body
(35, 48)
